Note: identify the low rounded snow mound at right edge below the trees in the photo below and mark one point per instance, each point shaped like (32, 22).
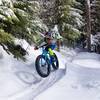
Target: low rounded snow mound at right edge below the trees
(89, 60)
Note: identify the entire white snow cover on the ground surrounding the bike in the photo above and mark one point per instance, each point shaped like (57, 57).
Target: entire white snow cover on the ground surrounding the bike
(79, 77)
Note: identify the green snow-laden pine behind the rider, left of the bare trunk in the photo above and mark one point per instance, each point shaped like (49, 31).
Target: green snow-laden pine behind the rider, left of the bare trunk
(69, 20)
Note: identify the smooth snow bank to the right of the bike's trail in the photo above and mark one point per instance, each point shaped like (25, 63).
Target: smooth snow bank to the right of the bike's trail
(81, 82)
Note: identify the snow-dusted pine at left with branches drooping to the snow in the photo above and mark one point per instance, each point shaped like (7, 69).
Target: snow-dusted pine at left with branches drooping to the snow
(18, 19)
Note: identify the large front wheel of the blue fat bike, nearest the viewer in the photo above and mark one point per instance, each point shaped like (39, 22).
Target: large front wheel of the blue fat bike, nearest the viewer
(42, 66)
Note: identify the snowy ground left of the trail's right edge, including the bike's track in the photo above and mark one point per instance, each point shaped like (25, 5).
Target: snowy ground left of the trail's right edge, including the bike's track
(20, 81)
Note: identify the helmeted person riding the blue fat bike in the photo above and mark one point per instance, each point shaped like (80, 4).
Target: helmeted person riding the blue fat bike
(50, 40)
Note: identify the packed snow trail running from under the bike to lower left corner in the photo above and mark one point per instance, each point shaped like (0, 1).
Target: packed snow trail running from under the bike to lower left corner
(32, 90)
